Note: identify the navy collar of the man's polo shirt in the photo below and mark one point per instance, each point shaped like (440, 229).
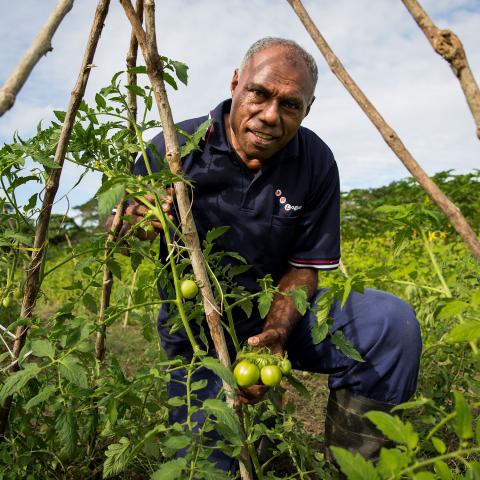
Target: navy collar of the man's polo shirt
(217, 138)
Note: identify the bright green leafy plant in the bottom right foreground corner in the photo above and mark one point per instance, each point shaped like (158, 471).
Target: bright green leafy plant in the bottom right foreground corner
(407, 459)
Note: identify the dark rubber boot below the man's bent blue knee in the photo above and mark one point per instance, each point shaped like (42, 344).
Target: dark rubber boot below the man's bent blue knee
(346, 427)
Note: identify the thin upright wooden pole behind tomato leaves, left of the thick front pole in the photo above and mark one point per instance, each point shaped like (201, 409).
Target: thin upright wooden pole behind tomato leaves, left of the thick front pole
(107, 282)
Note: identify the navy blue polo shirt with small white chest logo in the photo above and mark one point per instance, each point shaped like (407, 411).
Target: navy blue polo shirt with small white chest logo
(286, 214)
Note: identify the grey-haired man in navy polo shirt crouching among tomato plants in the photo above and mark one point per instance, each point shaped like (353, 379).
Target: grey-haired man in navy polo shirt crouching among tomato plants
(276, 185)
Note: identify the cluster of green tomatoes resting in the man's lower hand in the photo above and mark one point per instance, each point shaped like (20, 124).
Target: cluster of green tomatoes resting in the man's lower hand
(260, 365)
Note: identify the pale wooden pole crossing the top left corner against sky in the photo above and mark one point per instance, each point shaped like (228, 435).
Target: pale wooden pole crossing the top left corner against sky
(42, 44)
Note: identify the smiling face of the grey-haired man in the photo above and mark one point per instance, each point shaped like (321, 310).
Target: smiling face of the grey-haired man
(270, 98)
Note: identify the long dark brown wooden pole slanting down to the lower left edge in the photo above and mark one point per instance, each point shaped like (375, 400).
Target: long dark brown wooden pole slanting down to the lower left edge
(33, 280)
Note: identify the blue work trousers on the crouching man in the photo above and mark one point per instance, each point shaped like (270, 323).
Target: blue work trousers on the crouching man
(382, 328)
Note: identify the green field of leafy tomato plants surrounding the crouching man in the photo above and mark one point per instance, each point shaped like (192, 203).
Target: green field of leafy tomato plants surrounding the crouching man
(86, 393)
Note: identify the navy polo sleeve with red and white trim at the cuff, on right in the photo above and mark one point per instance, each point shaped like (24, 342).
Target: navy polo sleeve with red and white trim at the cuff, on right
(318, 233)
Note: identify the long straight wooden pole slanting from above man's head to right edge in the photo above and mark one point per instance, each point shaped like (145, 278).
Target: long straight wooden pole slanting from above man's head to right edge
(448, 208)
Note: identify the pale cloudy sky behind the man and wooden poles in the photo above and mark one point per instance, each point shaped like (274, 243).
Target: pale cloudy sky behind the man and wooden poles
(376, 40)
